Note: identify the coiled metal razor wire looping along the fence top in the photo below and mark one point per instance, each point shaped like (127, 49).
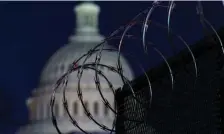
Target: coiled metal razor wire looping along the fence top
(99, 48)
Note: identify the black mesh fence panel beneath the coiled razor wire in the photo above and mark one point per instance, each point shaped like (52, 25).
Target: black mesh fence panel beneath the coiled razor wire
(187, 109)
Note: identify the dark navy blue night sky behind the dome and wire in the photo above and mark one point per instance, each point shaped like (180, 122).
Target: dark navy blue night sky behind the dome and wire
(31, 32)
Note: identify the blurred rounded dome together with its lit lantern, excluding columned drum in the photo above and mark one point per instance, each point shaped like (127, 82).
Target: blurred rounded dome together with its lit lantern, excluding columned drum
(86, 37)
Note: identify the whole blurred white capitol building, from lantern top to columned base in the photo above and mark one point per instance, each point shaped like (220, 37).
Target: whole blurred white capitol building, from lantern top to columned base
(86, 37)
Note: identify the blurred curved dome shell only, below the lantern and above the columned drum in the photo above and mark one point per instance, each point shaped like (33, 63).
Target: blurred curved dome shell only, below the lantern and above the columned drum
(62, 59)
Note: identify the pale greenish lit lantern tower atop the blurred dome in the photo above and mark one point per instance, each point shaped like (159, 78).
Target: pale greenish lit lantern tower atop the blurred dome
(86, 30)
